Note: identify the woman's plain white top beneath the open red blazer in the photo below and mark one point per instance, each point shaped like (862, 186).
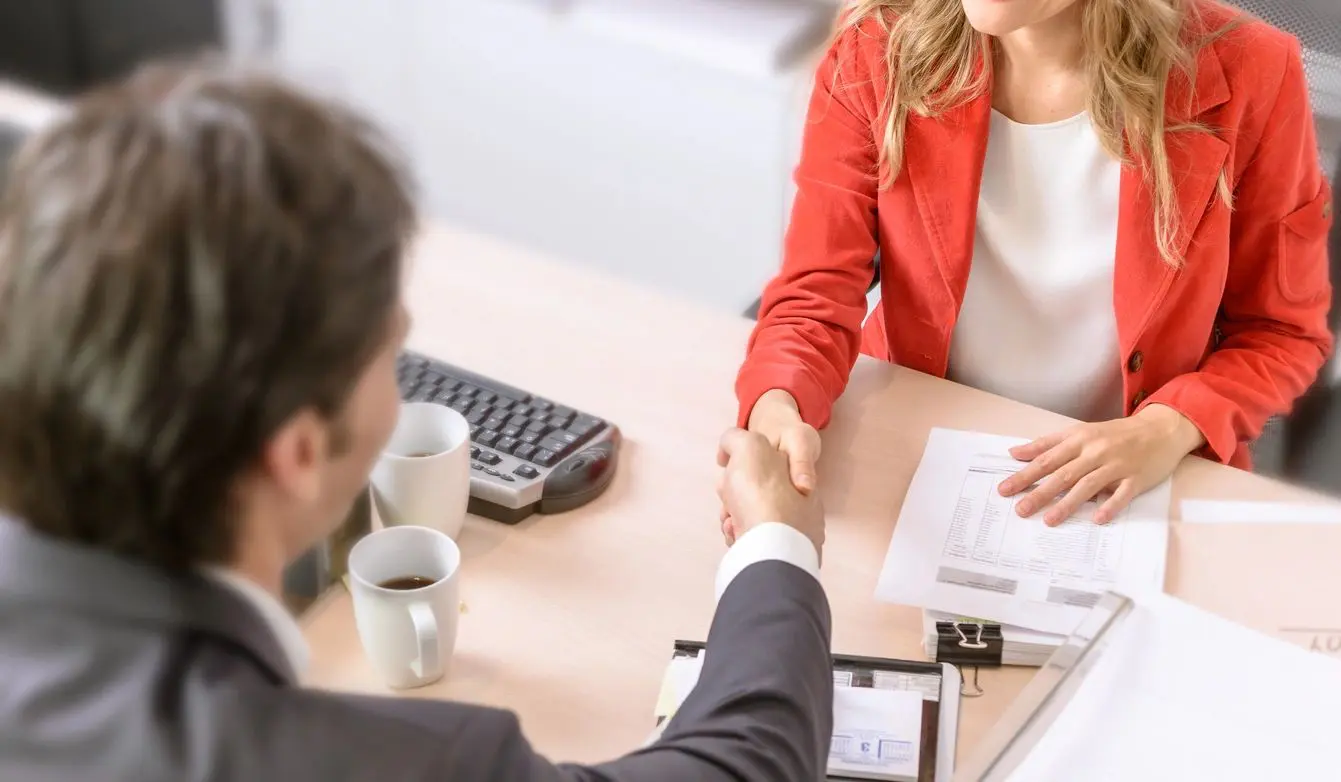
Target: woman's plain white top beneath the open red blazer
(1039, 324)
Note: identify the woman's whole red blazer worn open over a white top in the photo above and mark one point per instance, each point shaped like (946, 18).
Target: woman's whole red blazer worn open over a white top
(1229, 340)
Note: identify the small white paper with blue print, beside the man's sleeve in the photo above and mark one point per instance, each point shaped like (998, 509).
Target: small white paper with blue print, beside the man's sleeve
(878, 733)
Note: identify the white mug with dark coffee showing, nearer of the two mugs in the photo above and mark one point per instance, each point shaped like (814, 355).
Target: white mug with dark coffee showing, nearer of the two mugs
(408, 634)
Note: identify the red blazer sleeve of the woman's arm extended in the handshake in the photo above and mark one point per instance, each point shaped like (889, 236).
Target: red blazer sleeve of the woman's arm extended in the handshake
(811, 315)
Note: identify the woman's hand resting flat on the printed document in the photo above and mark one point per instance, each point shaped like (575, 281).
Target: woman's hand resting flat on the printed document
(1126, 457)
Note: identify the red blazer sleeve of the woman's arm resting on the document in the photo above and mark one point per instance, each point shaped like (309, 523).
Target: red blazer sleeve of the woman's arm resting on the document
(1277, 294)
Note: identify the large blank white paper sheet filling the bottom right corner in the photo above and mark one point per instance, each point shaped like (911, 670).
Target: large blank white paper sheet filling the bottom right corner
(1181, 694)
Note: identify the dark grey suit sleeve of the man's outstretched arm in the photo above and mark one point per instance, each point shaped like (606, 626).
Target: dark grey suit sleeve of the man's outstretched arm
(761, 713)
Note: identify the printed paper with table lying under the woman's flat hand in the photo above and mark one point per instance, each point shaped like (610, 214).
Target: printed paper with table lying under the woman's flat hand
(959, 547)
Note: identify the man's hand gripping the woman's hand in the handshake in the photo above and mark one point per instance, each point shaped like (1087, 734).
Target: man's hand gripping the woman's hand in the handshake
(756, 489)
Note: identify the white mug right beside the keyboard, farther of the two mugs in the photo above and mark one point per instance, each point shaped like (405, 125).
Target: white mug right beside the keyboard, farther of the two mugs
(424, 474)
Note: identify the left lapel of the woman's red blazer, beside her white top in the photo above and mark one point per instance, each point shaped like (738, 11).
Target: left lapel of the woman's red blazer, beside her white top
(945, 166)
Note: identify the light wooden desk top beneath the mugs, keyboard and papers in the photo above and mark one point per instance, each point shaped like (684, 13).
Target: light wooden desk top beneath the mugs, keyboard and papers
(571, 619)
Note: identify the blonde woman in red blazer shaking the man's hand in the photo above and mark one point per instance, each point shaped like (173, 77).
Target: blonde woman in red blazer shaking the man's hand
(1108, 209)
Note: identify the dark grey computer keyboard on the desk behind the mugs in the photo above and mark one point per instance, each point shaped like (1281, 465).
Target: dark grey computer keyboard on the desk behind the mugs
(528, 454)
